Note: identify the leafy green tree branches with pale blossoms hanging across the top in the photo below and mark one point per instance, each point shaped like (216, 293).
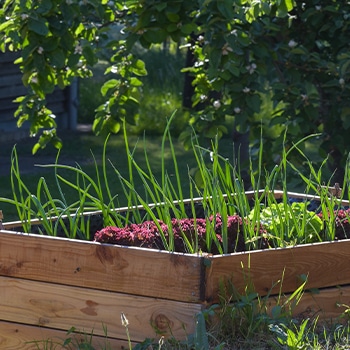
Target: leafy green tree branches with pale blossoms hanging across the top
(295, 52)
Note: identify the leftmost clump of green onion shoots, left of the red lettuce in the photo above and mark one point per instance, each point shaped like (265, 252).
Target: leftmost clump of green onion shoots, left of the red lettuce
(54, 214)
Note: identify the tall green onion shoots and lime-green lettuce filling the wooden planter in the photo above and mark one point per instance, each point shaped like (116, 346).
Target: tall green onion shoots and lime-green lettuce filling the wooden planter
(216, 185)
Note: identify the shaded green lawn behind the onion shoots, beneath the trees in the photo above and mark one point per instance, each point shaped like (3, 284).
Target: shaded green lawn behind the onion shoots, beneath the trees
(81, 149)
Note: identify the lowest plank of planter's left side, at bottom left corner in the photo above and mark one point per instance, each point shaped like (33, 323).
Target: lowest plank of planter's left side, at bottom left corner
(16, 336)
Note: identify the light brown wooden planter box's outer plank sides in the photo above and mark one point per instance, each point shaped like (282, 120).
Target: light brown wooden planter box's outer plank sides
(50, 284)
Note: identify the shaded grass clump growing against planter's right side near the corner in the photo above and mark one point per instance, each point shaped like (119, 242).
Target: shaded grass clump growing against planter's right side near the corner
(246, 317)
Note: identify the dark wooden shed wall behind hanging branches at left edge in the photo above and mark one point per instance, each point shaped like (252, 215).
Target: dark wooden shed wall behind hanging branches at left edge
(63, 103)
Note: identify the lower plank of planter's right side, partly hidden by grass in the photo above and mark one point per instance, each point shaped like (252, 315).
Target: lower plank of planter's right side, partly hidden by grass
(327, 304)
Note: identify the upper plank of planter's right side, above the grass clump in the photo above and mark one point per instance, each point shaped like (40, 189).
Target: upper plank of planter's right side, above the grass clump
(325, 264)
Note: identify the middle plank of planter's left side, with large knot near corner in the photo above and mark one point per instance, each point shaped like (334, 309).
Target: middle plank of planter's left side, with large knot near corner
(61, 307)
